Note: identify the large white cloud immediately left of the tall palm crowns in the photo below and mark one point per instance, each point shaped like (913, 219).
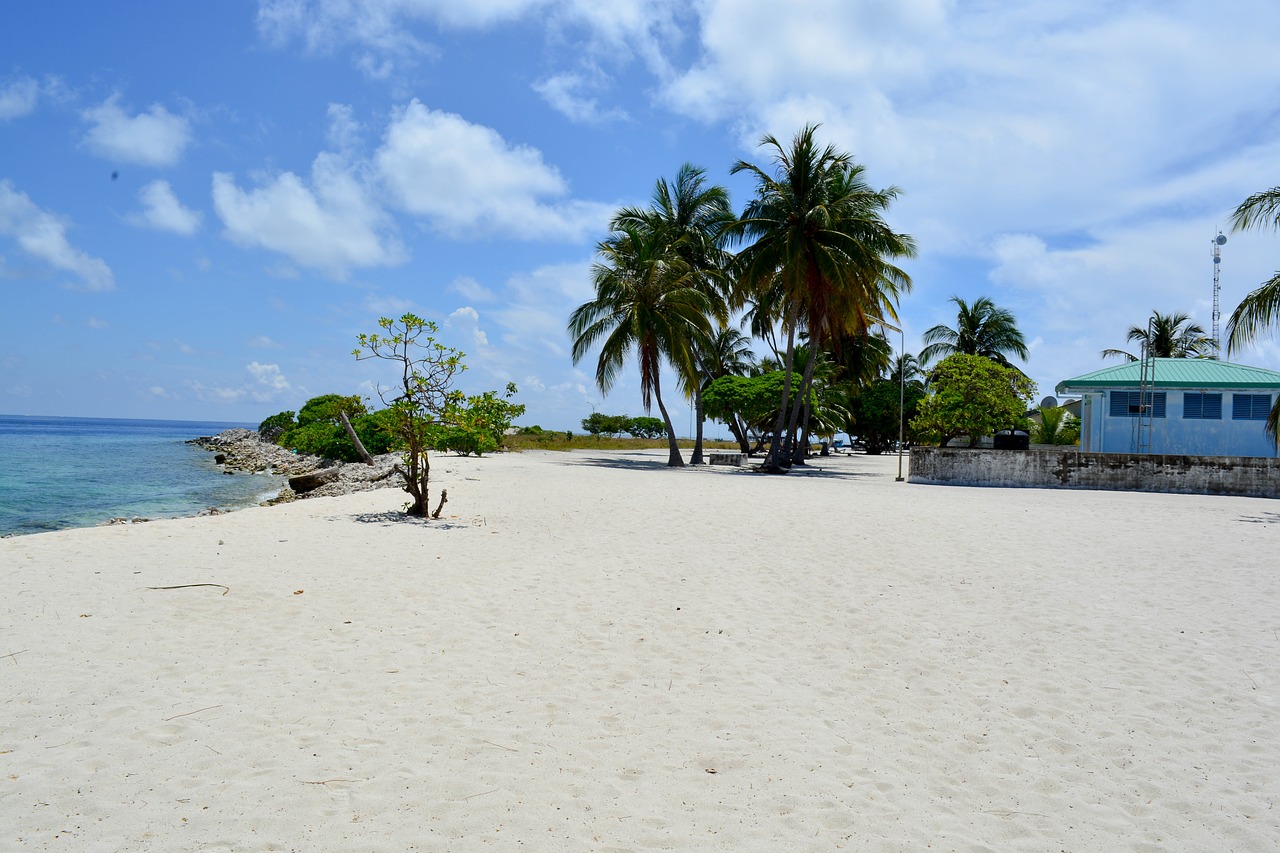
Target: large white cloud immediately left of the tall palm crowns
(468, 181)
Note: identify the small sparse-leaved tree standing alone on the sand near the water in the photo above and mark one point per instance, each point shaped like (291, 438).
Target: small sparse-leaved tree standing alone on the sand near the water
(420, 400)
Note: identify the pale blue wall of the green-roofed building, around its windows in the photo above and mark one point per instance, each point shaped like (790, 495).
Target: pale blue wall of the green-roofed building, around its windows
(1176, 435)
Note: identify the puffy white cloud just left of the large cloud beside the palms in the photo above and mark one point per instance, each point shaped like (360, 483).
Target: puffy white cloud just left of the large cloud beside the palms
(333, 225)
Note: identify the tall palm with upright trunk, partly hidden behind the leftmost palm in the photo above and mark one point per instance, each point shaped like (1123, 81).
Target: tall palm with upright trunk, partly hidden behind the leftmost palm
(689, 217)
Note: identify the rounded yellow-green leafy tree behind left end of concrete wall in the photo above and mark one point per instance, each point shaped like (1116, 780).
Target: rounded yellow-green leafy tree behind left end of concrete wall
(973, 396)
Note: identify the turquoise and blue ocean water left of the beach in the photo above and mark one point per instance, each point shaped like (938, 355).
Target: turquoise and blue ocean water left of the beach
(61, 473)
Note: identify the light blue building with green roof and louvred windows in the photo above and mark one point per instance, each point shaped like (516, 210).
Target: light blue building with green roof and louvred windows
(1194, 408)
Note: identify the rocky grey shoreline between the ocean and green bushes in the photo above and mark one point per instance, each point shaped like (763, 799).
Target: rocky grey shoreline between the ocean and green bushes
(245, 451)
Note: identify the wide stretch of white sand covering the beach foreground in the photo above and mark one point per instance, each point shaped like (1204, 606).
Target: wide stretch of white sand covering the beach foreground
(593, 653)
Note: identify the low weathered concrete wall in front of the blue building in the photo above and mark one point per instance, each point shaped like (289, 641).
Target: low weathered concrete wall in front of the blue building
(1073, 469)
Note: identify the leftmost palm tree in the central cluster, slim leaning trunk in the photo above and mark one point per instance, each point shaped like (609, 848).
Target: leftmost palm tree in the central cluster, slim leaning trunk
(646, 300)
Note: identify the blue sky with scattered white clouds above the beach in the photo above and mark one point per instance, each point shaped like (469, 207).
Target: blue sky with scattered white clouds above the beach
(202, 206)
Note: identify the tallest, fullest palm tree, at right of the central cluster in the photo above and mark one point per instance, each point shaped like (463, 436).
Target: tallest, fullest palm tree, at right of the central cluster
(817, 258)
